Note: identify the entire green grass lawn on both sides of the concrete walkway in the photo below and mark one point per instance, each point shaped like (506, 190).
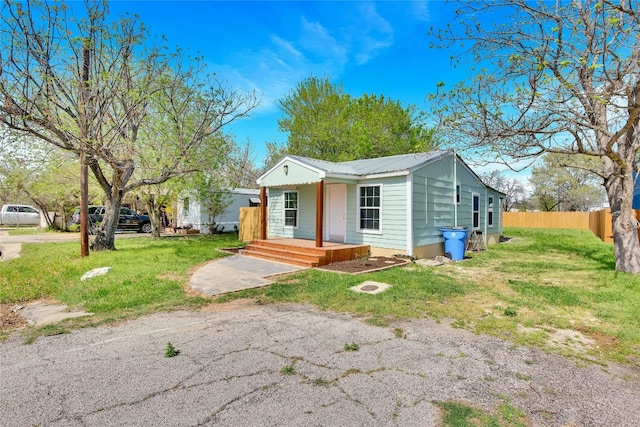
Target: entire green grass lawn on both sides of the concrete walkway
(527, 290)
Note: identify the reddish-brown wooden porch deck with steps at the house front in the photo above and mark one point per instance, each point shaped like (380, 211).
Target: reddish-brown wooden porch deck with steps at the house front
(303, 252)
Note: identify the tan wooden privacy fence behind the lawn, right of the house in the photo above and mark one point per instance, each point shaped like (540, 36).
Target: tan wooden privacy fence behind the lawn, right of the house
(599, 221)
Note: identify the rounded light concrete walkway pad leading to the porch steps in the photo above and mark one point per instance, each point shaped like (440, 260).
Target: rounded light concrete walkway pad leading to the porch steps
(237, 273)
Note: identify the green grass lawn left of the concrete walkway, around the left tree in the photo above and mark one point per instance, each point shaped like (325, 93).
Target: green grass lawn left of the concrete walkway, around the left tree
(147, 275)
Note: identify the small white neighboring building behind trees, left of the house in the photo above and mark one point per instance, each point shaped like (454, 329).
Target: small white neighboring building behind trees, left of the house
(192, 212)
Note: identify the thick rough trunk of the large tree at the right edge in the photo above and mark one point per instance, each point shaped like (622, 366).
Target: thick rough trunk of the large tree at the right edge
(619, 188)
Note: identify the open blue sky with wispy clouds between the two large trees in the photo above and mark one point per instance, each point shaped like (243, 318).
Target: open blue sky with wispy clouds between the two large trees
(376, 47)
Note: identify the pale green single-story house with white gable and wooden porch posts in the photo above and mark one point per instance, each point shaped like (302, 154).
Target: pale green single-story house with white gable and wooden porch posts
(396, 205)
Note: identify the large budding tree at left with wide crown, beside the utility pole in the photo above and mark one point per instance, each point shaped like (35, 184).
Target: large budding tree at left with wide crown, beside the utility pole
(93, 86)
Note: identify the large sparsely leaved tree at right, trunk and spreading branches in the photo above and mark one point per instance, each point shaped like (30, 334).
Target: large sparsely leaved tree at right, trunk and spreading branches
(553, 77)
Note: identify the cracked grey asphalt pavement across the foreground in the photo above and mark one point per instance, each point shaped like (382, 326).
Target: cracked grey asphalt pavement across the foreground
(286, 365)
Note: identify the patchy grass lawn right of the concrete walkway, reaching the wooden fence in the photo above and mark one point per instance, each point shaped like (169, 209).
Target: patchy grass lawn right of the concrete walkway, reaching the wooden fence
(540, 284)
